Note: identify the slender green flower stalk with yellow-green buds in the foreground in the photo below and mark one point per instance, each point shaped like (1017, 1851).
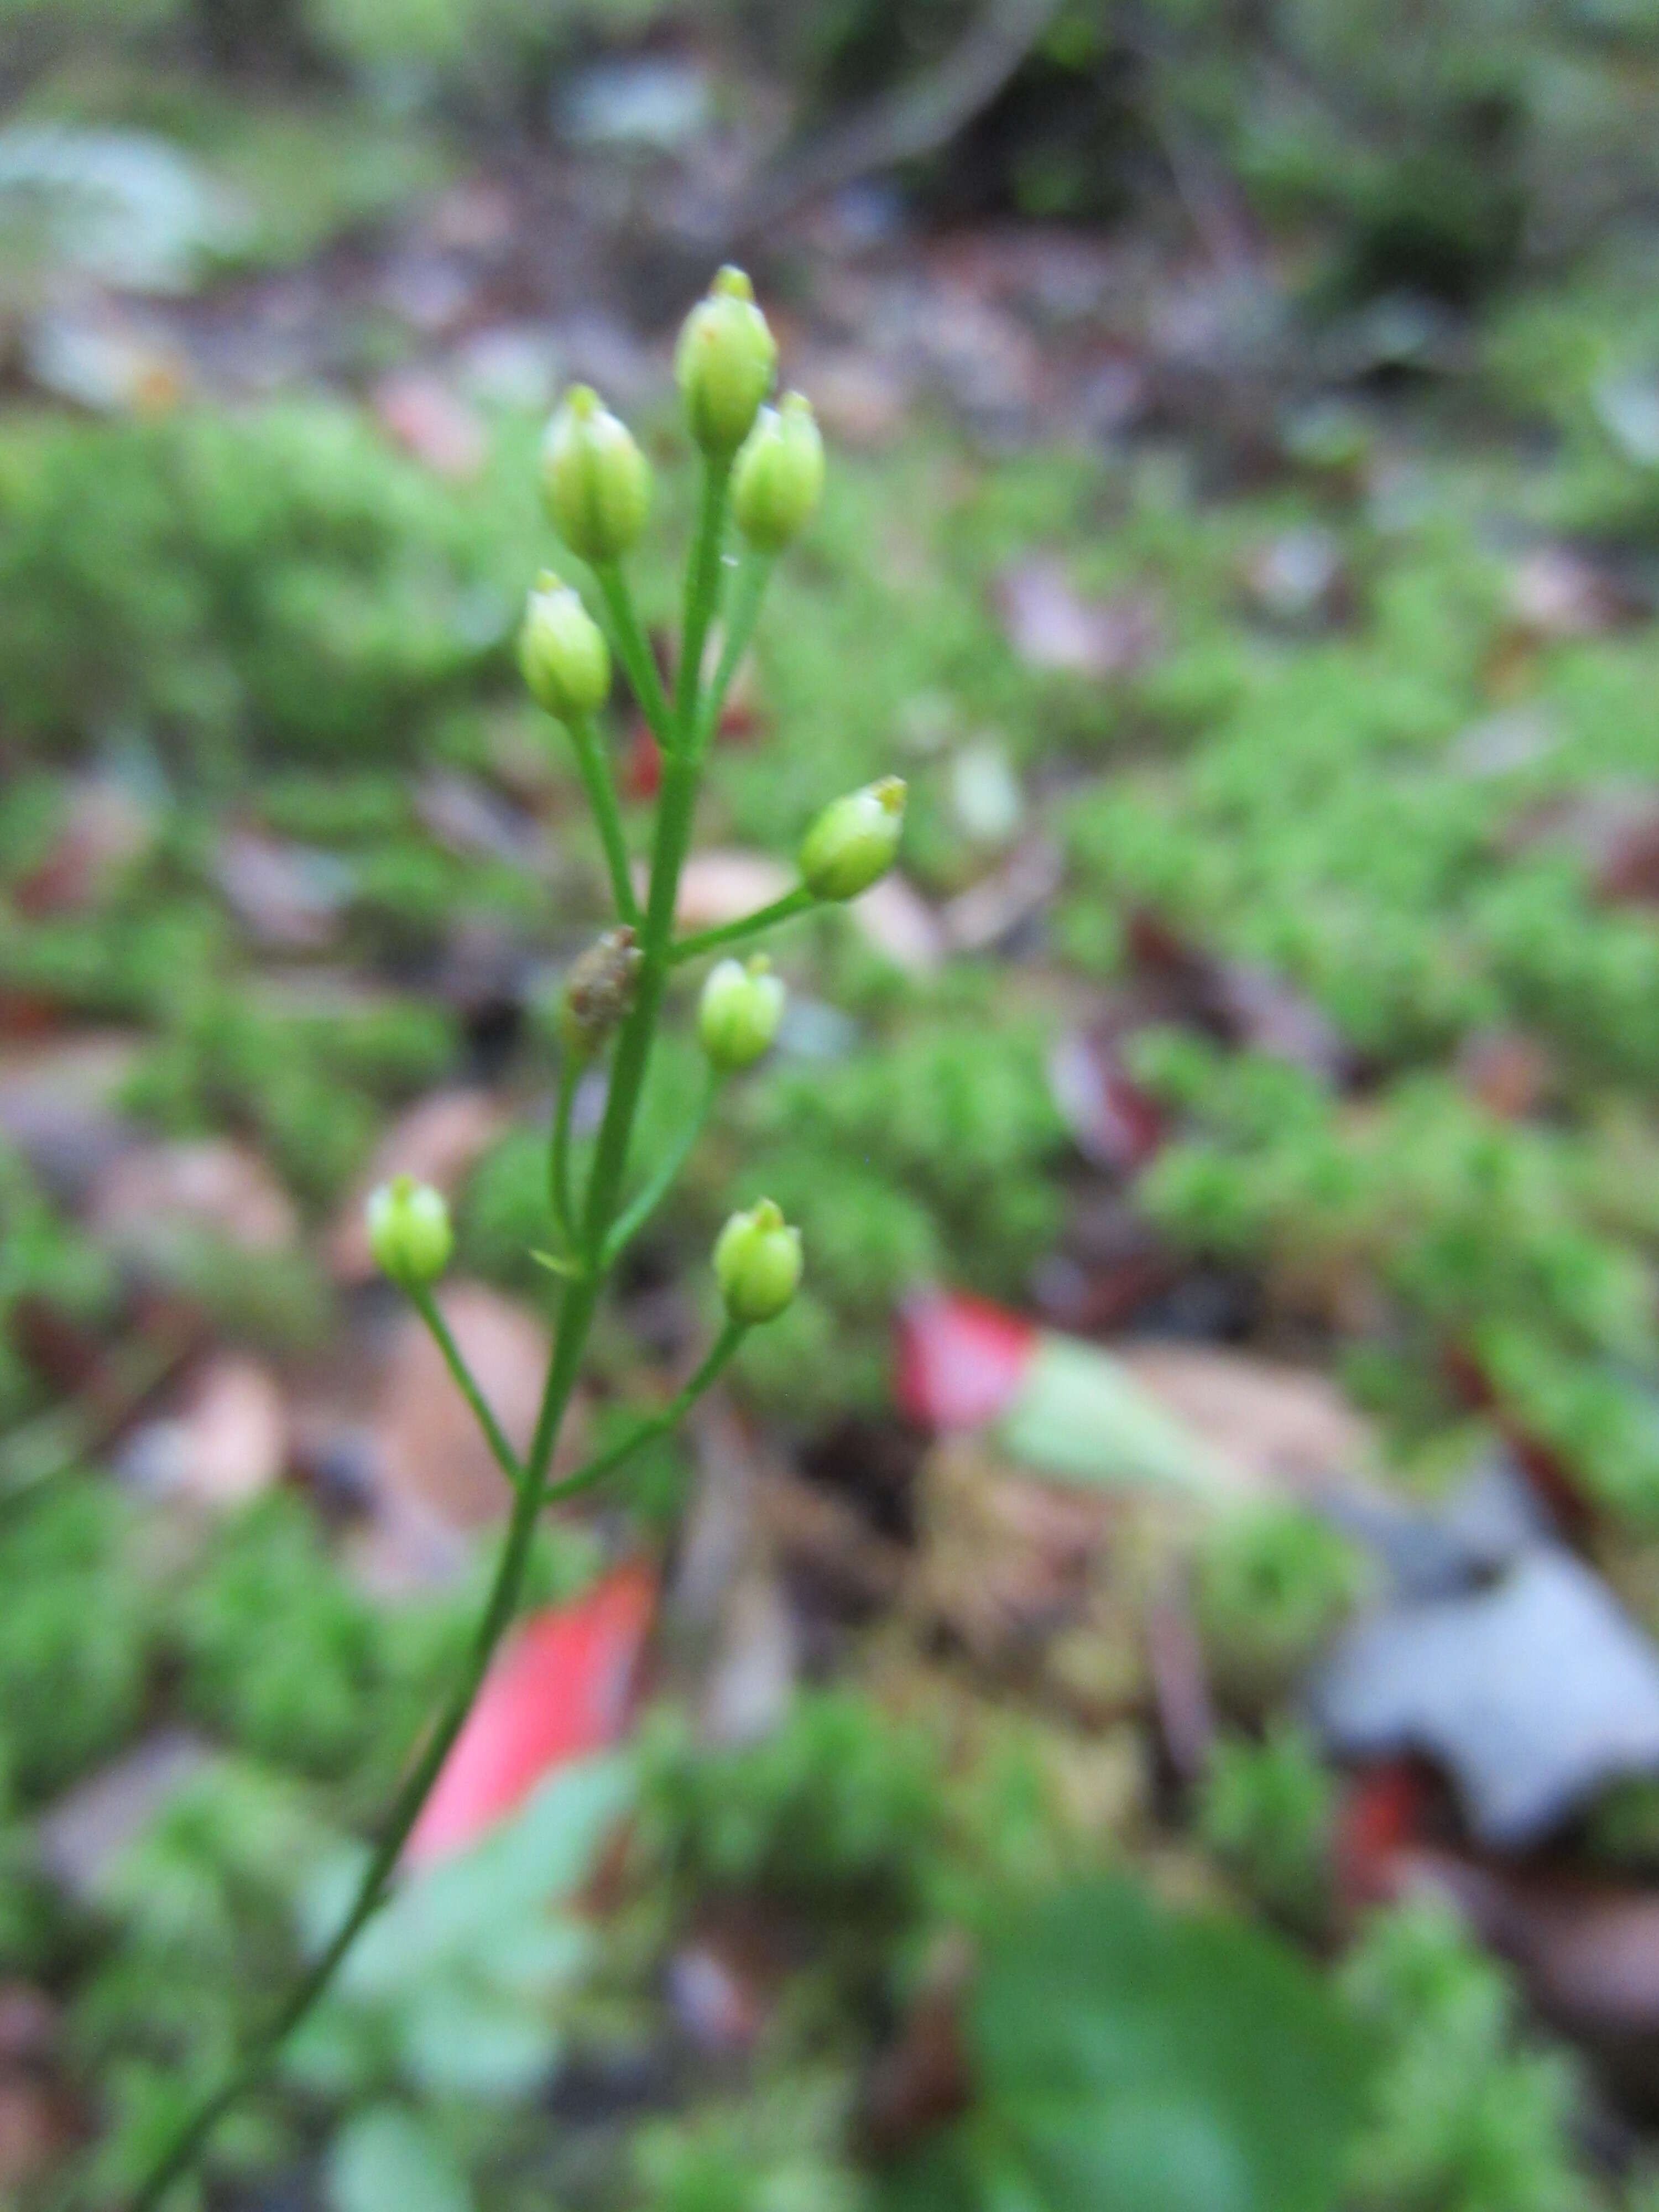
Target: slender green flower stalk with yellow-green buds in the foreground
(762, 470)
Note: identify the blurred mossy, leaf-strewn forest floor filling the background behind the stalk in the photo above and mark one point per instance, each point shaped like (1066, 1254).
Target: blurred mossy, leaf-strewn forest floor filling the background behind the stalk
(1244, 536)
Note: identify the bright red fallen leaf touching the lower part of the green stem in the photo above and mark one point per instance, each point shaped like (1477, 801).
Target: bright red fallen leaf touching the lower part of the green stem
(559, 1691)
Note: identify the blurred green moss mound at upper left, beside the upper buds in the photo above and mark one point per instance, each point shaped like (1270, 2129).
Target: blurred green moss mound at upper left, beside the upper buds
(278, 581)
